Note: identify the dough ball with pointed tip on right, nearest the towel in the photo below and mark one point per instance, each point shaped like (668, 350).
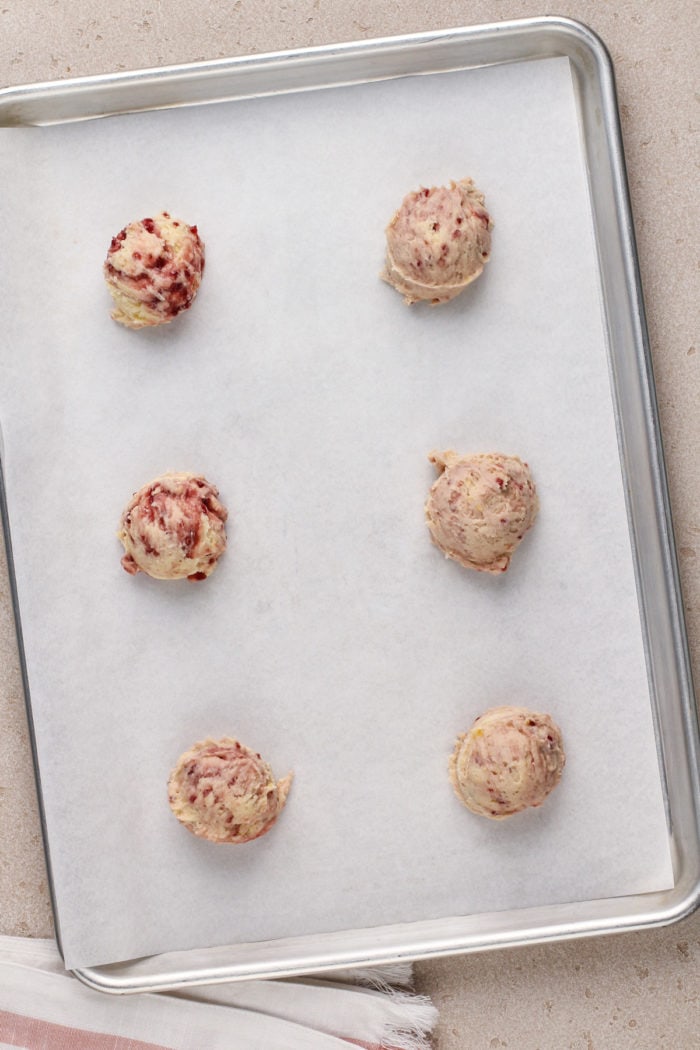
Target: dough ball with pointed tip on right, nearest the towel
(222, 791)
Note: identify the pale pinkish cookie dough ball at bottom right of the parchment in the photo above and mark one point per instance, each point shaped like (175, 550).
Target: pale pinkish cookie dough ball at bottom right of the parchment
(510, 761)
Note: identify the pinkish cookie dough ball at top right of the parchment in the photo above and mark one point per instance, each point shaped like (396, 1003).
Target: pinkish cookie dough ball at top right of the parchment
(438, 243)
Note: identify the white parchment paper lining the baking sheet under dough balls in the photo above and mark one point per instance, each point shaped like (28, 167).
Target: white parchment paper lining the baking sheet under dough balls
(333, 637)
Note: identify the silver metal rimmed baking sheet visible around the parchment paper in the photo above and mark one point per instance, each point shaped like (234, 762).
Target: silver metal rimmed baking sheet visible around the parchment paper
(633, 413)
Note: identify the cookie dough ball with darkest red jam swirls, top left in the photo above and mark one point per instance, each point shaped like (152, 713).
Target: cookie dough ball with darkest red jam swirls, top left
(154, 270)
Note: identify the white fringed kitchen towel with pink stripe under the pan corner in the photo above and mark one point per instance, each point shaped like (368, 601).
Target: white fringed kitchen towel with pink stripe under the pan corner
(44, 1007)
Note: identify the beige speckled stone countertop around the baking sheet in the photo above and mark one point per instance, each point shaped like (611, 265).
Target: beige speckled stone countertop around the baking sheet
(640, 991)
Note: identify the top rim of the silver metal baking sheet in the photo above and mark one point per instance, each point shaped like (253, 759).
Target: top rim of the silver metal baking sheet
(222, 80)
